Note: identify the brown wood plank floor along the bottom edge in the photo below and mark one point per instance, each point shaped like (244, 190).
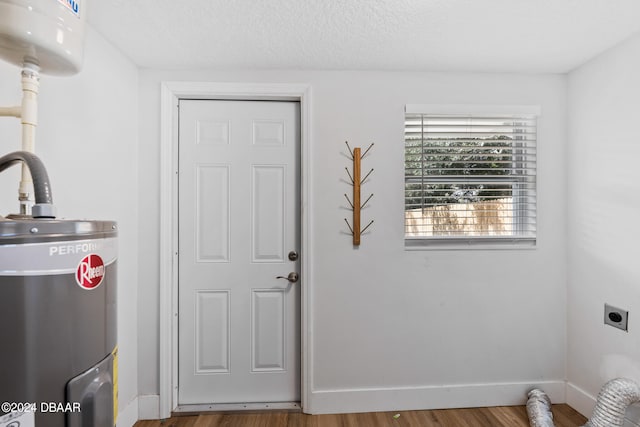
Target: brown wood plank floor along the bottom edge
(504, 416)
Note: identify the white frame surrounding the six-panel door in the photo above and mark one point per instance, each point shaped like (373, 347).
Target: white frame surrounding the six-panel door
(170, 94)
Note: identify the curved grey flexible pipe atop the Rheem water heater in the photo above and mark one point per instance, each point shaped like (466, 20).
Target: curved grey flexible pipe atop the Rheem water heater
(44, 199)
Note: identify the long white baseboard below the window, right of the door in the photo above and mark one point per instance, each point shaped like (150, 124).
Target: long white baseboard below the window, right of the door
(431, 397)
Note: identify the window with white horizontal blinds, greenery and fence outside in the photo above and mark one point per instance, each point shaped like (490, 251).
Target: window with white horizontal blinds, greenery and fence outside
(470, 178)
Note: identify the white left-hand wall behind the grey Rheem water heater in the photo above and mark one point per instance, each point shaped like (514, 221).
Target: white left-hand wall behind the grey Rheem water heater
(88, 139)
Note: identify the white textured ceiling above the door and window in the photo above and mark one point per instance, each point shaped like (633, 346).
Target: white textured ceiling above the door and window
(438, 35)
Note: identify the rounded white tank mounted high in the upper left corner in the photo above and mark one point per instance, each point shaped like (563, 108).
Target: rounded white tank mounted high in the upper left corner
(49, 33)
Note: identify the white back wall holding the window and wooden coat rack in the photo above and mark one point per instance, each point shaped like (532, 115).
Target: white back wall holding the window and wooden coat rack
(394, 329)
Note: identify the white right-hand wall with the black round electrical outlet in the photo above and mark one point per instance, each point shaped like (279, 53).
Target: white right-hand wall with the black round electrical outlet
(604, 207)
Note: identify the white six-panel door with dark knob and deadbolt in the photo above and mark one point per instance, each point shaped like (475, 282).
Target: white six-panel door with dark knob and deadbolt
(238, 325)
